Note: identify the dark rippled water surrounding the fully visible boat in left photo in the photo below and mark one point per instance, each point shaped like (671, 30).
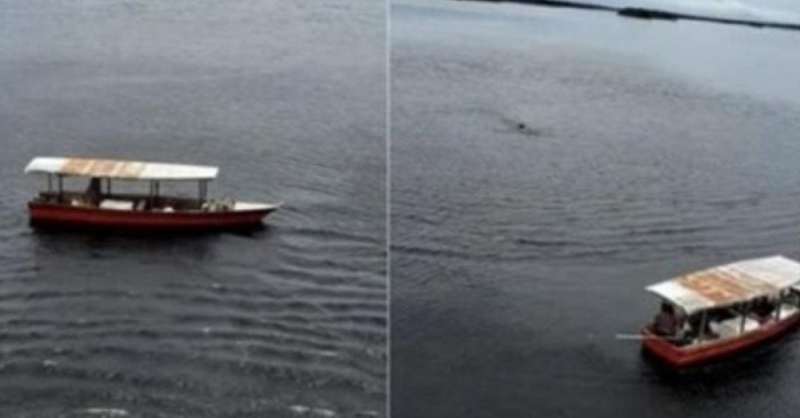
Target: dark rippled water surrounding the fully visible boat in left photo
(288, 99)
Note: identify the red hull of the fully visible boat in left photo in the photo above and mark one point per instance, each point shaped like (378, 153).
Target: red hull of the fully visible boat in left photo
(42, 214)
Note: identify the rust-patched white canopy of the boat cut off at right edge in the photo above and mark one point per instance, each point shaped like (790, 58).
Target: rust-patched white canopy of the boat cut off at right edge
(729, 284)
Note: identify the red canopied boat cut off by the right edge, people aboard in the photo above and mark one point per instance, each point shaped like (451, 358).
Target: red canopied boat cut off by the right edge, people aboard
(724, 311)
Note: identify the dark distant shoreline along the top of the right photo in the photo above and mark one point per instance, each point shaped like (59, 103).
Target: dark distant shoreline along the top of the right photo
(652, 14)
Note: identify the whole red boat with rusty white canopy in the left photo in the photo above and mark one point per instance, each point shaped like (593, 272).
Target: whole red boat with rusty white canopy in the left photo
(99, 206)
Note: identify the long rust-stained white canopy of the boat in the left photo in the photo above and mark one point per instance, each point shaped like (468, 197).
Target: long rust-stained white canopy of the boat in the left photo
(120, 169)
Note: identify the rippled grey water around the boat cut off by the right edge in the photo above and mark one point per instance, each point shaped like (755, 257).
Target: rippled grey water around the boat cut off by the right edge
(519, 252)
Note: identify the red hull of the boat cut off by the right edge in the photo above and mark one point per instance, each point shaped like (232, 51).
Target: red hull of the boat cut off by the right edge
(686, 356)
